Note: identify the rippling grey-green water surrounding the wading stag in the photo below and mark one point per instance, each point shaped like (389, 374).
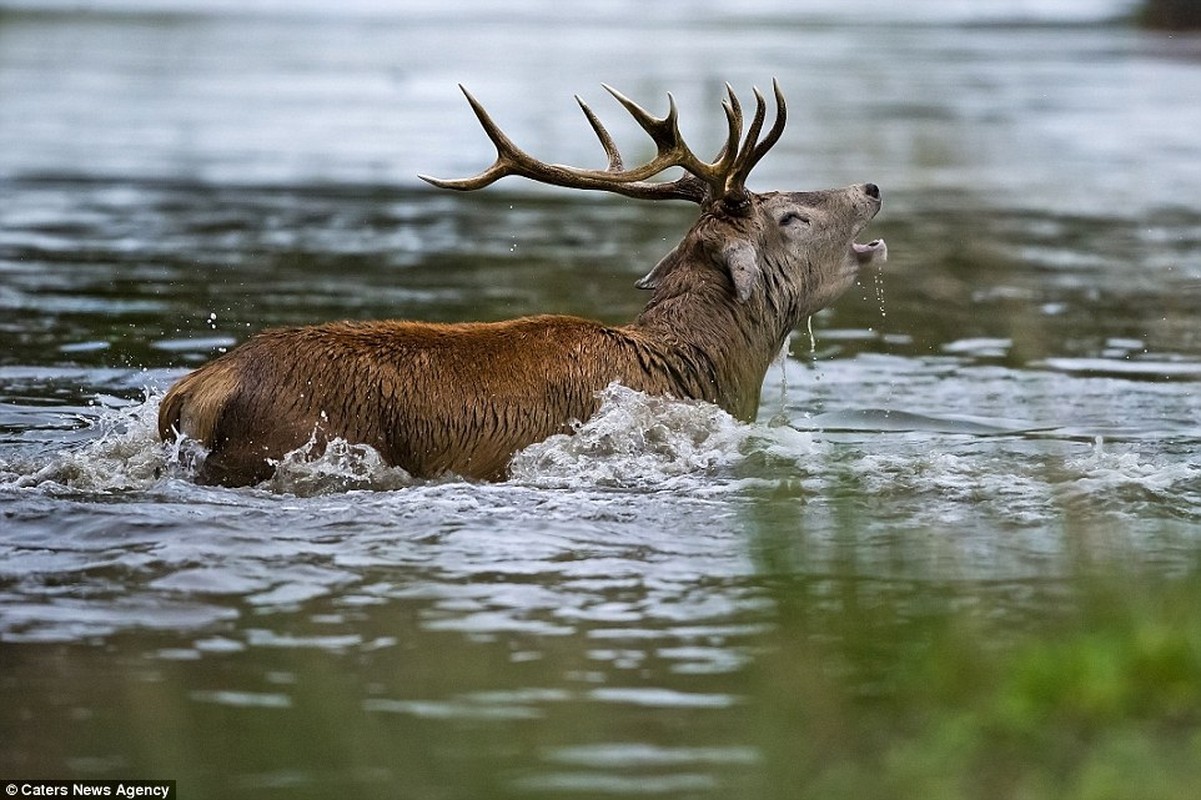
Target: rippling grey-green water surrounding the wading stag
(670, 604)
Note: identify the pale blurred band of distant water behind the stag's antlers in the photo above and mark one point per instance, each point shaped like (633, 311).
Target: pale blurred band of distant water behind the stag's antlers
(1063, 105)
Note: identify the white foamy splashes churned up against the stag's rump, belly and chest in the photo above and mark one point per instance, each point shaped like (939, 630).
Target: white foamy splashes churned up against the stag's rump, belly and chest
(635, 440)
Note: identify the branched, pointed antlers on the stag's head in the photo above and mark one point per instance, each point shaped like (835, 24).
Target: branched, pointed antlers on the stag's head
(703, 182)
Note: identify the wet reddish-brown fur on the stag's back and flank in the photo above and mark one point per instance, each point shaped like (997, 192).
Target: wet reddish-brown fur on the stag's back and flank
(431, 398)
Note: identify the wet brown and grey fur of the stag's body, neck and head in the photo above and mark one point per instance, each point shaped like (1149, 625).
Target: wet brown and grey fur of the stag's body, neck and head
(463, 398)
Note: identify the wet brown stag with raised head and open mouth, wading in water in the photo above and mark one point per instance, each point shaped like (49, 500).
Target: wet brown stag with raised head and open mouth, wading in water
(462, 399)
